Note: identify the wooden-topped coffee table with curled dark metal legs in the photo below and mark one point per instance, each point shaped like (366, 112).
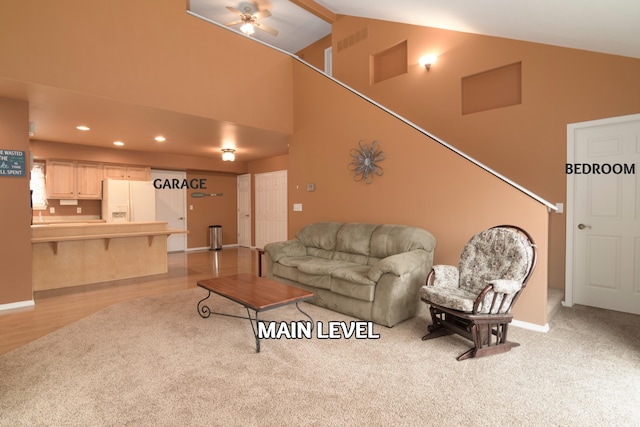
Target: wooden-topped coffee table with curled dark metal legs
(253, 293)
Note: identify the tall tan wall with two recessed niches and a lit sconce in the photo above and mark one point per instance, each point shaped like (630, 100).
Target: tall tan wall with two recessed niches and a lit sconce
(527, 142)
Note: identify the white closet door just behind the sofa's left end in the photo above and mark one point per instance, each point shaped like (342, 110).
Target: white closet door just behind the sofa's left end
(271, 207)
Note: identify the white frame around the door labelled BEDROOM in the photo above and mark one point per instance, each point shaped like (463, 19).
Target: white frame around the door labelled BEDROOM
(572, 129)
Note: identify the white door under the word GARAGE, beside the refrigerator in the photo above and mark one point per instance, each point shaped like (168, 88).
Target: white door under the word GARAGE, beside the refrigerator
(171, 207)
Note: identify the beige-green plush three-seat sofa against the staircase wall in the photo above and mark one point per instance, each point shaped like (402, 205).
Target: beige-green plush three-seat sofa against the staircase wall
(369, 271)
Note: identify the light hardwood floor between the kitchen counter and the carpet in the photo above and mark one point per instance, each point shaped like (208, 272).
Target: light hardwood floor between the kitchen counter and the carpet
(56, 308)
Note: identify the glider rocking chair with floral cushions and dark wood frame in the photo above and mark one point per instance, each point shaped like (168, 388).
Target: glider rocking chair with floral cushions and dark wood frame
(475, 299)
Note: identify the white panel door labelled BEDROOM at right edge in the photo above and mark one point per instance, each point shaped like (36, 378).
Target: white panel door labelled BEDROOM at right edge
(603, 214)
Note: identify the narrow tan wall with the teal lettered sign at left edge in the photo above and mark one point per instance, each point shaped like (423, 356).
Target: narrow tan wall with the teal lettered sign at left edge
(15, 215)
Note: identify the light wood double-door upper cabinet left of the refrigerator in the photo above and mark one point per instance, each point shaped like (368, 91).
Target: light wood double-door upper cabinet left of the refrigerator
(72, 180)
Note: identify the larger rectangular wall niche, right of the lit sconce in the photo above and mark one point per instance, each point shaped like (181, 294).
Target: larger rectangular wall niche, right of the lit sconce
(497, 88)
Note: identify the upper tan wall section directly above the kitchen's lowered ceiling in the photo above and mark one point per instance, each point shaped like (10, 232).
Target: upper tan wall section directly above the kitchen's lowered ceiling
(127, 50)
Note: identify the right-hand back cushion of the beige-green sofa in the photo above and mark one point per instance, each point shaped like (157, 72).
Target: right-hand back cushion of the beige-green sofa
(391, 239)
